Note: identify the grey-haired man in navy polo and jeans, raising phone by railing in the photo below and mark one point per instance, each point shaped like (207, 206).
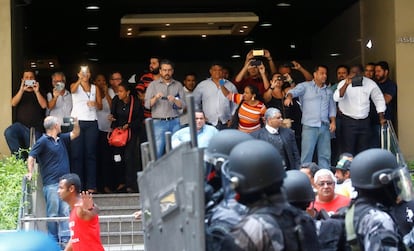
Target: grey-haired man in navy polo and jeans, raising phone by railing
(51, 152)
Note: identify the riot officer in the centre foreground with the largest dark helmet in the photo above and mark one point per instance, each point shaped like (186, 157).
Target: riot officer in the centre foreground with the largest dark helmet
(256, 170)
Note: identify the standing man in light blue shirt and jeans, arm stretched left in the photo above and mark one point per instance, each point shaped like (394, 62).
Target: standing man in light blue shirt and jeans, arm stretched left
(318, 116)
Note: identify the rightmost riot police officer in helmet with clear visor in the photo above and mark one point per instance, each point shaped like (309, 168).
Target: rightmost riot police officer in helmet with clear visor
(380, 182)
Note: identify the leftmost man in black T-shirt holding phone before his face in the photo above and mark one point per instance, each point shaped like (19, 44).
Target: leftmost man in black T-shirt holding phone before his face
(30, 105)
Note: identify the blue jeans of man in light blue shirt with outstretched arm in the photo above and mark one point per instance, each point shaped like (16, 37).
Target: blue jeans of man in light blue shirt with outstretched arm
(319, 137)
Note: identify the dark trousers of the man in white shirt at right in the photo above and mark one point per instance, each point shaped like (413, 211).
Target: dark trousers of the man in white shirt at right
(355, 134)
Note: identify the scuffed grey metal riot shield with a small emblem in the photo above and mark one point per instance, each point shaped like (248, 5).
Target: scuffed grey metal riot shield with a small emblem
(172, 201)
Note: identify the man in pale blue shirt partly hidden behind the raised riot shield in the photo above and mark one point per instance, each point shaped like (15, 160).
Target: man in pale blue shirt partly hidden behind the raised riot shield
(204, 132)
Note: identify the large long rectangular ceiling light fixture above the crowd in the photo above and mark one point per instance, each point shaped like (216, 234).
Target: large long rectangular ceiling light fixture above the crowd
(189, 24)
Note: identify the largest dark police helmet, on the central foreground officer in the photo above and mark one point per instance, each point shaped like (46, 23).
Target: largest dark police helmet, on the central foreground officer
(254, 166)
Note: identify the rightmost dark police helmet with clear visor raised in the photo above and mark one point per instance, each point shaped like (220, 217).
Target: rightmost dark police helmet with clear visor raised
(377, 168)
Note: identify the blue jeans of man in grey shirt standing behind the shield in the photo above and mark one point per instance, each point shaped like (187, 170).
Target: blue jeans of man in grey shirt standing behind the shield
(160, 128)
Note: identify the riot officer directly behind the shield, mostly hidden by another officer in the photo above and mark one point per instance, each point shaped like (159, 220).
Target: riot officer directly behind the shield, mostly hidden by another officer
(222, 210)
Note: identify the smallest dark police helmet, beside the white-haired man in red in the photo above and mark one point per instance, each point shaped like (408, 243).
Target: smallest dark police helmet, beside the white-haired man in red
(298, 187)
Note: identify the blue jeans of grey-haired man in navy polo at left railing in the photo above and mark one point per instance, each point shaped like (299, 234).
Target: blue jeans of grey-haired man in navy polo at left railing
(55, 207)
